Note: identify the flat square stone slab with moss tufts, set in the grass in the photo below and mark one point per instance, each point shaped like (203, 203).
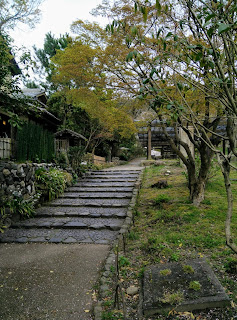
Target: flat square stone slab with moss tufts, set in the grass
(173, 285)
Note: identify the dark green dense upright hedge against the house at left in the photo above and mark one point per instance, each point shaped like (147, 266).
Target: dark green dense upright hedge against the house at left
(34, 143)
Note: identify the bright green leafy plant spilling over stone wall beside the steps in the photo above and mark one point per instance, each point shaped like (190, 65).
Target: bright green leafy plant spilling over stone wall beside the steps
(53, 181)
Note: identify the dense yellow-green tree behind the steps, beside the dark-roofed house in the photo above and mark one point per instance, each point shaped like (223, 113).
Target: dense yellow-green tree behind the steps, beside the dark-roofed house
(78, 74)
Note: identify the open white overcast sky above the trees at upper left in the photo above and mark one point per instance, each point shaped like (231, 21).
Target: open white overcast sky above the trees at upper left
(57, 16)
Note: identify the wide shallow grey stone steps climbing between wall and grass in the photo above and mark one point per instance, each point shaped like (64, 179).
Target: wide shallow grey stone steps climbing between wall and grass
(92, 211)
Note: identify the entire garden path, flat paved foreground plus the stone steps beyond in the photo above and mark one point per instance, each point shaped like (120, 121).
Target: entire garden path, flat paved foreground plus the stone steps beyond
(55, 279)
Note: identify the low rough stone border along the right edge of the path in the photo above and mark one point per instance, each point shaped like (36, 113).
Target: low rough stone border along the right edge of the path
(105, 279)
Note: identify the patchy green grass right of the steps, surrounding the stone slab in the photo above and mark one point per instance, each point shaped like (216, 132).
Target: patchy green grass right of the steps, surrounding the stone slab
(179, 231)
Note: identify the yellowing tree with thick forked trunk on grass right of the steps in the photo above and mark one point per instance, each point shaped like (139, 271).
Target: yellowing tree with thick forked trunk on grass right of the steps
(147, 66)
